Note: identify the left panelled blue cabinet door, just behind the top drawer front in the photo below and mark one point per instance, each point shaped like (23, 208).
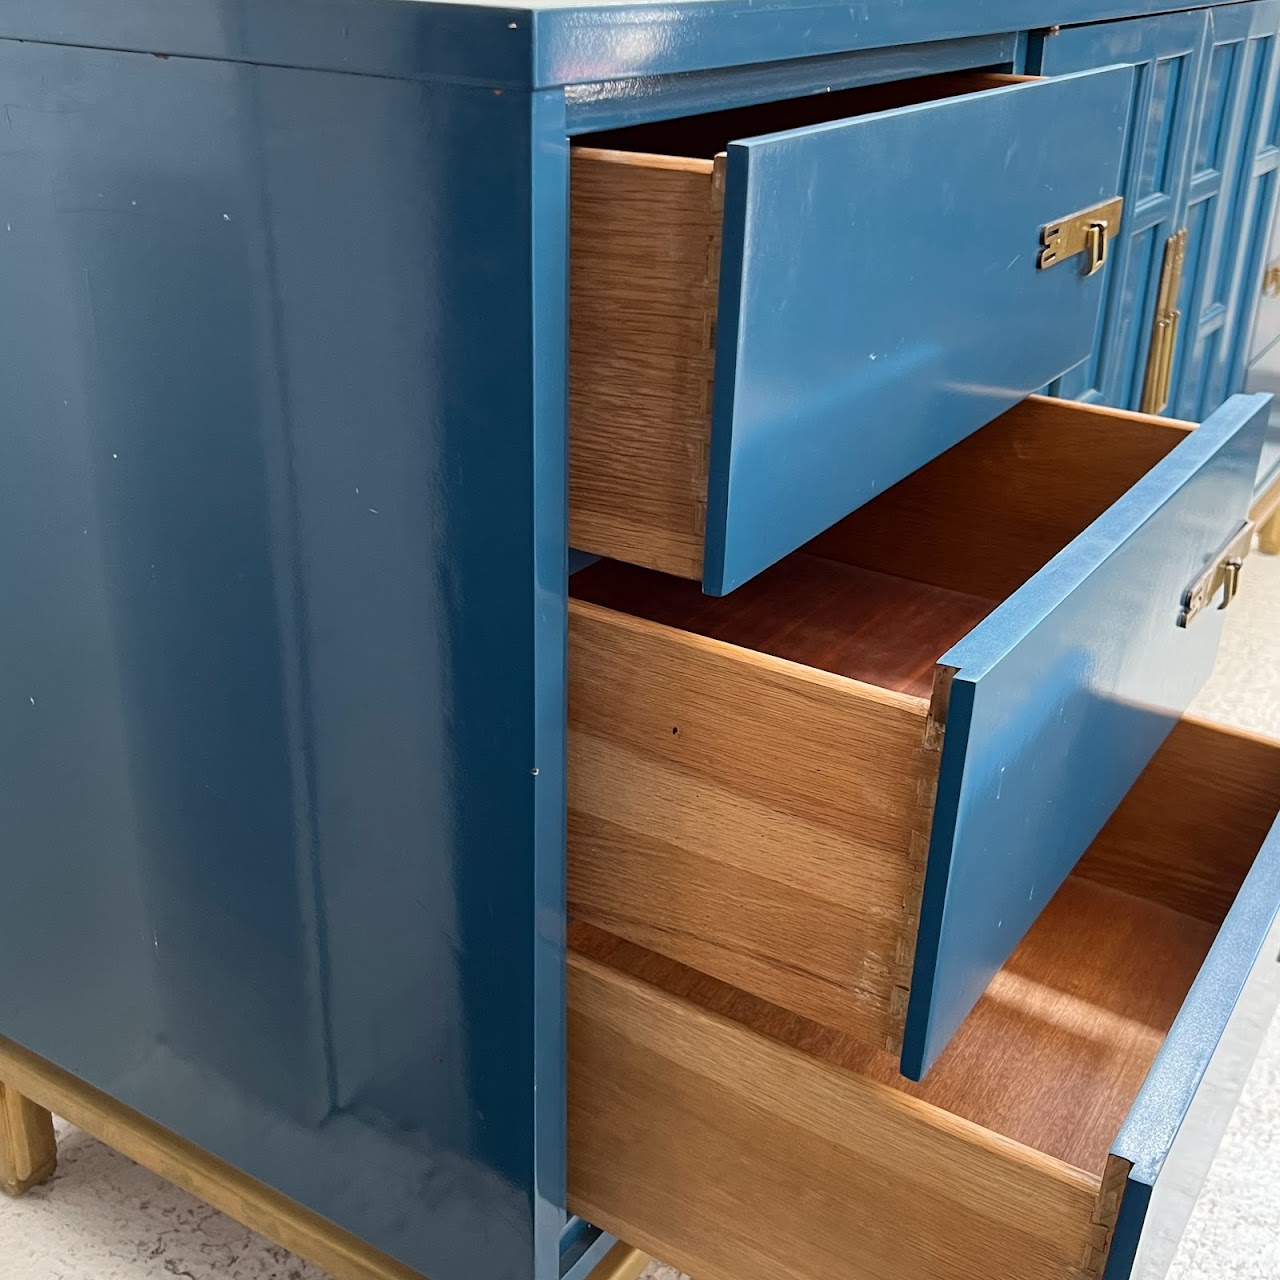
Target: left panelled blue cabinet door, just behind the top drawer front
(1167, 52)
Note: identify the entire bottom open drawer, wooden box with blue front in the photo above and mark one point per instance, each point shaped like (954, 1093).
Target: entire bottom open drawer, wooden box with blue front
(1063, 1135)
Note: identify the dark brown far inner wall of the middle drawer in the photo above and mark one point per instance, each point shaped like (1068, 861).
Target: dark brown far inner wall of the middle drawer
(994, 510)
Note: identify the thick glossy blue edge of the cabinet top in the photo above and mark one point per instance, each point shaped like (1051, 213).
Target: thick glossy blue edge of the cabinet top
(559, 42)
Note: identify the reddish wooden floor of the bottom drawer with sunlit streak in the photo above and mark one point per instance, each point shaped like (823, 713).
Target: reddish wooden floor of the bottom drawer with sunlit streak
(1054, 1054)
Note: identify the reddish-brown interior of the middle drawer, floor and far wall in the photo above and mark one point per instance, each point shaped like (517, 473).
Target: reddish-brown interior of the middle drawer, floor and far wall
(884, 595)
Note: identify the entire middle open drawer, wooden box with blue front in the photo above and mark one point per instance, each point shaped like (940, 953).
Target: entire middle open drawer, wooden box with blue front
(852, 787)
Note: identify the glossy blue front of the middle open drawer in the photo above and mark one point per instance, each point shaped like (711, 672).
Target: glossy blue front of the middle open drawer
(1059, 700)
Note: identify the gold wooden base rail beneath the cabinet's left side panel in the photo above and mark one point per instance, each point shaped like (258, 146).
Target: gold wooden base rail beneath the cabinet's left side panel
(250, 1203)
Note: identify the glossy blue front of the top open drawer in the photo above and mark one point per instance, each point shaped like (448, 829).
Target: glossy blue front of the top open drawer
(853, 344)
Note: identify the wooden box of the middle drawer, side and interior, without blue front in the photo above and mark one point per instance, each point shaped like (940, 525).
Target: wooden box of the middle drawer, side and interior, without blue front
(752, 778)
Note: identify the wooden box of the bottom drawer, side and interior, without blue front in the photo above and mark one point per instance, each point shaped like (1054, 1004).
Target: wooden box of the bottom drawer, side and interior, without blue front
(1040, 1078)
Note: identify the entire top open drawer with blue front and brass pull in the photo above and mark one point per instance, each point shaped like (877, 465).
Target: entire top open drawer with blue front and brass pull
(780, 312)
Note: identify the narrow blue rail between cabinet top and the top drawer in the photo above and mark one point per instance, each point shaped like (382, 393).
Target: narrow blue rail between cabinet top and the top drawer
(618, 104)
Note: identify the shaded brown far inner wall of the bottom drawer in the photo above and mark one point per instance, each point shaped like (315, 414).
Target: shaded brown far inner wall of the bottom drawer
(1188, 831)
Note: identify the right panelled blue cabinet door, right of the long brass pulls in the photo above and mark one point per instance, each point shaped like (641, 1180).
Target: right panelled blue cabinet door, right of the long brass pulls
(1219, 207)
